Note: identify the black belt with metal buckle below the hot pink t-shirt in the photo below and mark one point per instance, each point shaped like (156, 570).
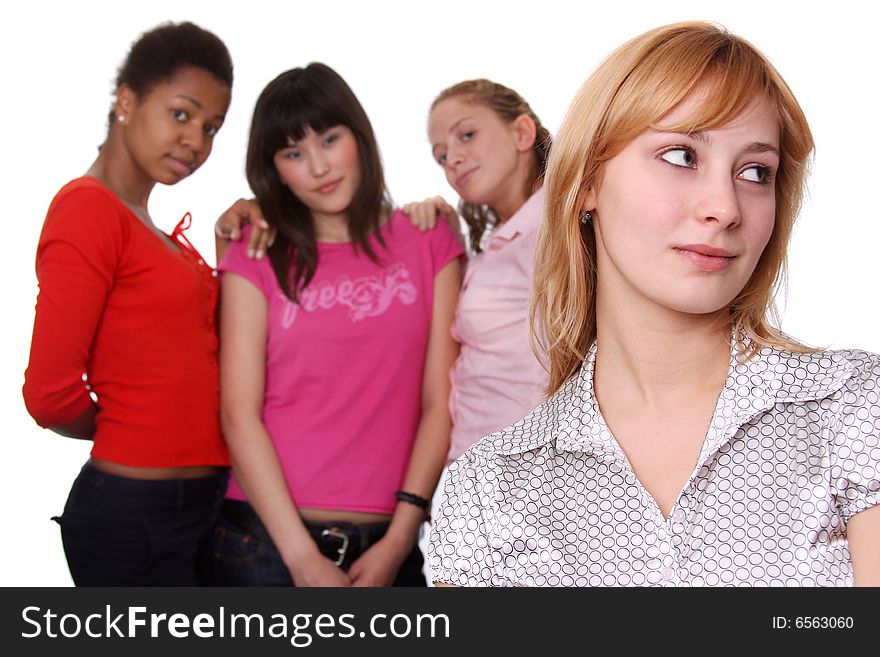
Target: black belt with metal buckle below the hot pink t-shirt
(341, 542)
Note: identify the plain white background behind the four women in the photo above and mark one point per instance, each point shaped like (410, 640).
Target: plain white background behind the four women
(58, 61)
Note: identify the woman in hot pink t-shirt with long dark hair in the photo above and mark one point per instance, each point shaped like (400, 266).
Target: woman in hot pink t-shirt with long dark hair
(335, 353)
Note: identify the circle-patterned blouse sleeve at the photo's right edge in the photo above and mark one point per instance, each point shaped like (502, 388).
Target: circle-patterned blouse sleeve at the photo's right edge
(855, 452)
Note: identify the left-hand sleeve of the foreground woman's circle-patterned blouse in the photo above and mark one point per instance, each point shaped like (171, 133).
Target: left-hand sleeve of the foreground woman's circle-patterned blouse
(460, 550)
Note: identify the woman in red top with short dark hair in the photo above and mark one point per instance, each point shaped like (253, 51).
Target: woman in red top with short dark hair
(124, 328)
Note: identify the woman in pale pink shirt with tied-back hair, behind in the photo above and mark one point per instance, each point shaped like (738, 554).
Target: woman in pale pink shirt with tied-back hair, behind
(493, 150)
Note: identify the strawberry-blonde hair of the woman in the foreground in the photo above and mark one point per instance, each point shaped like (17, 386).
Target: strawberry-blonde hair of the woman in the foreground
(629, 93)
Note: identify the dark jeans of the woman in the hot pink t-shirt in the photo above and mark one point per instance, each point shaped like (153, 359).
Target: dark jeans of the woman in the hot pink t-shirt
(244, 554)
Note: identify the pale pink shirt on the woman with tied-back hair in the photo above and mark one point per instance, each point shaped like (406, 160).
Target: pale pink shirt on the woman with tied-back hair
(497, 379)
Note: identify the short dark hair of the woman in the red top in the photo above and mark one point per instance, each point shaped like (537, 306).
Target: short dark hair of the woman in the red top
(158, 55)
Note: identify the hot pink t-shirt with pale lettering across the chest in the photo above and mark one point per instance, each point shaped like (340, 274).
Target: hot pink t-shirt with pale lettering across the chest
(344, 369)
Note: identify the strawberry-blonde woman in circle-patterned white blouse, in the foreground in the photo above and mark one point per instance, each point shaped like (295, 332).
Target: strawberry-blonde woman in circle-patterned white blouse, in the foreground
(686, 441)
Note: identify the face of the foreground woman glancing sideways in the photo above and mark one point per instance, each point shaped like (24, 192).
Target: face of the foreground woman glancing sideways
(682, 219)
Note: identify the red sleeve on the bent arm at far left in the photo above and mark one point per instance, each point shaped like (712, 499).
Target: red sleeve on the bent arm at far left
(81, 244)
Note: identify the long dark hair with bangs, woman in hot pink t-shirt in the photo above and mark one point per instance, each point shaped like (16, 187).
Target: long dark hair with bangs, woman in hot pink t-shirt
(313, 97)
